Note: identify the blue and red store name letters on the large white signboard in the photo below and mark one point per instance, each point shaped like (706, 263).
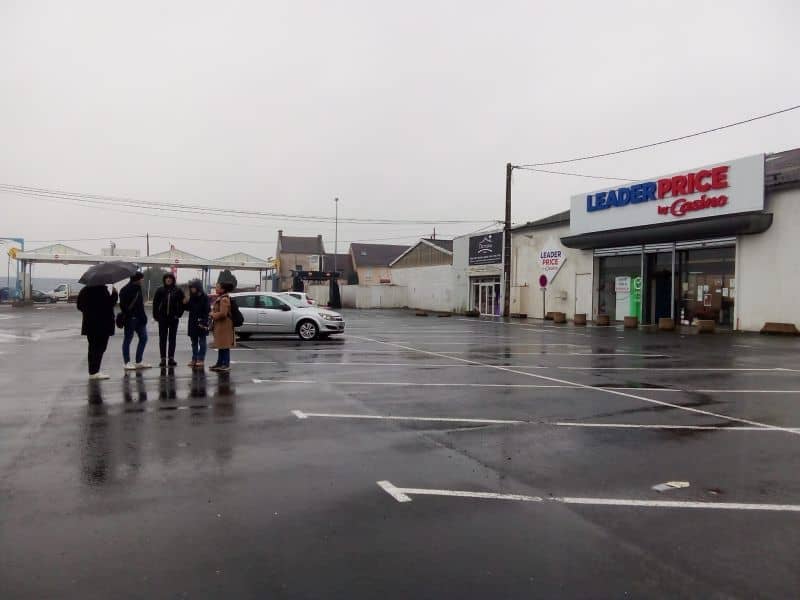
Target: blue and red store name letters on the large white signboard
(698, 182)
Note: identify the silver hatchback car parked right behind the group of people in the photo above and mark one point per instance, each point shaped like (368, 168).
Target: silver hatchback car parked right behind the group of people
(266, 312)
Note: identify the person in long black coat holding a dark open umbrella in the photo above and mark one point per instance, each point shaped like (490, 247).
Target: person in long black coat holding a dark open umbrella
(97, 306)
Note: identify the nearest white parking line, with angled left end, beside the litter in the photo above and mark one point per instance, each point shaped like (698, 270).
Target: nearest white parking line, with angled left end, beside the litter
(404, 495)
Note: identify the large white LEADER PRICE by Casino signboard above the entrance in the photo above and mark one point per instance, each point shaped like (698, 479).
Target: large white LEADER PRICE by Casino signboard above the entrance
(720, 189)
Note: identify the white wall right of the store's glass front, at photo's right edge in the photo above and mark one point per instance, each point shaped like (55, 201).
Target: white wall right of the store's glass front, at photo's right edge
(767, 269)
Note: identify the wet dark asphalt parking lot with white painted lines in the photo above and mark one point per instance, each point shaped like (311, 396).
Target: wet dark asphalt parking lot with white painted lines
(416, 457)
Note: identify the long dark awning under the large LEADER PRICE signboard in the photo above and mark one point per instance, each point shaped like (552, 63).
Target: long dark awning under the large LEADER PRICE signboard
(695, 229)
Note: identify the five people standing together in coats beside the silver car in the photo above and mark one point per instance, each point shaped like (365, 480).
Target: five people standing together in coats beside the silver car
(169, 305)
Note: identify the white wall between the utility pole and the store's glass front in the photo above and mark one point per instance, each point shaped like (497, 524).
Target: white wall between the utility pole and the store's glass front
(526, 295)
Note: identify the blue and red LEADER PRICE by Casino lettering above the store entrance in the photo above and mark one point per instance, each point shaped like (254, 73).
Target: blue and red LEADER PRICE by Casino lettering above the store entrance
(705, 182)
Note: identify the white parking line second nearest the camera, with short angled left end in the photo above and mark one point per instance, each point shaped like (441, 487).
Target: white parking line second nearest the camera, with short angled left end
(305, 415)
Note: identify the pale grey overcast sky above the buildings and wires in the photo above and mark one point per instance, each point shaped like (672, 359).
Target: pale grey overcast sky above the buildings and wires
(403, 110)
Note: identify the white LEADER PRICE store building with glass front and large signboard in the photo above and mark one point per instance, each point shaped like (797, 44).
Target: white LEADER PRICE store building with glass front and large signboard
(716, 242)
